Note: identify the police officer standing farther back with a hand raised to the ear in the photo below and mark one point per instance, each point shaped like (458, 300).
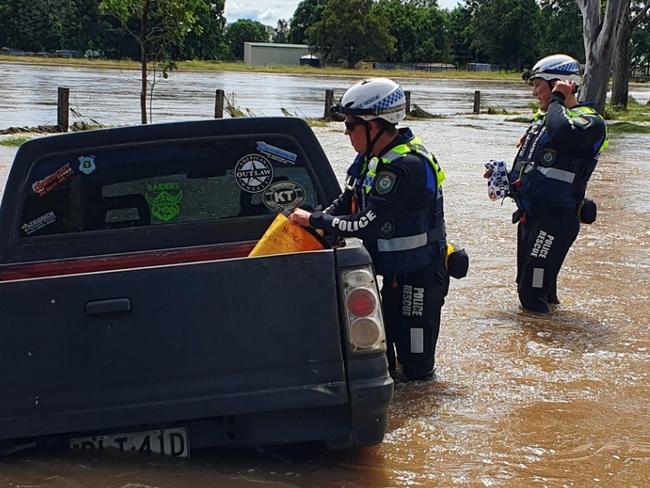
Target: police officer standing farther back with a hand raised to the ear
(549, 176)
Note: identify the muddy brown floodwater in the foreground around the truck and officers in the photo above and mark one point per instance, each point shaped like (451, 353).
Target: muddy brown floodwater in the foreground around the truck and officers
(519, 399)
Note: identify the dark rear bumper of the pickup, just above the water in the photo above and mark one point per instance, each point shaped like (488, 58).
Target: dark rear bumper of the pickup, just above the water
(359, 422)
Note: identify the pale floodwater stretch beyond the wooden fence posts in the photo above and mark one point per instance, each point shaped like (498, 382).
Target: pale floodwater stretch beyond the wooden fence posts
(112, 97)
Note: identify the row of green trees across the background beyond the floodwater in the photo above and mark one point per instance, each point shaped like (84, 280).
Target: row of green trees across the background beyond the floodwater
(511, 34)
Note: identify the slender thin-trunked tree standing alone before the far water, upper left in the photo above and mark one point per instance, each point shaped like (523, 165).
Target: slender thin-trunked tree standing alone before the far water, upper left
(156, 26)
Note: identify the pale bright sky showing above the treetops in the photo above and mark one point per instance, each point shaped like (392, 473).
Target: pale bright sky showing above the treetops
(269, 11)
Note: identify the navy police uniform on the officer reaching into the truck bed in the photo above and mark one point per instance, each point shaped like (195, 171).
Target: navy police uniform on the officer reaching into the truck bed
(394, 204)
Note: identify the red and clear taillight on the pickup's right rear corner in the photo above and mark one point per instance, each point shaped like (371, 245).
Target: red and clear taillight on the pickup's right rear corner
(363, 311)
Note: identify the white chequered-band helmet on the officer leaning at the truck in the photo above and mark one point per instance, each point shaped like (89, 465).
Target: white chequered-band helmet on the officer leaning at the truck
(374, 98)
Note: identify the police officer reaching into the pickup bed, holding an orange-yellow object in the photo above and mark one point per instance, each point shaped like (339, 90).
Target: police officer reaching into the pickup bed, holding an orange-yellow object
(393, 202)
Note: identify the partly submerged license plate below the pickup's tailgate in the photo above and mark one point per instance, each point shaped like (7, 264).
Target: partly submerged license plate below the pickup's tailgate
(164, 442)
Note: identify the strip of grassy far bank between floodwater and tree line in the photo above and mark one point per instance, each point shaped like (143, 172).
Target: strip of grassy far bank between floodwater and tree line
(208, 66)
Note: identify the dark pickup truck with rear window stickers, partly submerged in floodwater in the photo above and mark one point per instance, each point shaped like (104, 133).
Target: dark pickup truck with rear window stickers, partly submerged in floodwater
(132, 318)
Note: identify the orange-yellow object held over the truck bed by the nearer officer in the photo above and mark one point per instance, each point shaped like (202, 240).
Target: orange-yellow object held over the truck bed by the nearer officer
(283, 236)
